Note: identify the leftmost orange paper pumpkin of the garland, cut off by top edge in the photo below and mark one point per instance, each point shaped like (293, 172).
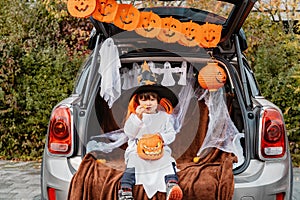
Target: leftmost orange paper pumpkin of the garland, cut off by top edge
(81, 8)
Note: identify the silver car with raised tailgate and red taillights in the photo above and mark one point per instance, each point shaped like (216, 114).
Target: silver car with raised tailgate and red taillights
(262, 166)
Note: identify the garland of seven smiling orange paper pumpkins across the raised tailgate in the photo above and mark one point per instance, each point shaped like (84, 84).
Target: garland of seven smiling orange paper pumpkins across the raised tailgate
(147, 24)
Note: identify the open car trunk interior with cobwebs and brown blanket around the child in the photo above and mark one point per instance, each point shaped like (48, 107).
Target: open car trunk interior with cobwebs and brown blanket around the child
(210, 175)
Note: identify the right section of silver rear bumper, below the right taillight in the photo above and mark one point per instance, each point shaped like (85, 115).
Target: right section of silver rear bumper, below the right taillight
(264, 180)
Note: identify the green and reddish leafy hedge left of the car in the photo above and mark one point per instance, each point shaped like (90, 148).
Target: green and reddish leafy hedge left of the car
(39, 61)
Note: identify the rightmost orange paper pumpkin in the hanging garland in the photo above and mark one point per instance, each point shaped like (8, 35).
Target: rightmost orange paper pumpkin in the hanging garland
(210, 35)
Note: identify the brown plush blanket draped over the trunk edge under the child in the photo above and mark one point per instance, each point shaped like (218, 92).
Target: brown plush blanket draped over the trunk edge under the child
(211, 178)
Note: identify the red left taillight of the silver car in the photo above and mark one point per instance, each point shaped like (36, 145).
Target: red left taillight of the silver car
(60, 133)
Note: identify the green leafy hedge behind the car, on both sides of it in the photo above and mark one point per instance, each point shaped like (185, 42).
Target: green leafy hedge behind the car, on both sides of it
(41, 48)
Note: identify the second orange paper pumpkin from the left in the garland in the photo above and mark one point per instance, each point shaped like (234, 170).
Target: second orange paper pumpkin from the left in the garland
(106, 10)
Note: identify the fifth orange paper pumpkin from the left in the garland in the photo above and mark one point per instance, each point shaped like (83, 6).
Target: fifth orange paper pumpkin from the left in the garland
(170, 30)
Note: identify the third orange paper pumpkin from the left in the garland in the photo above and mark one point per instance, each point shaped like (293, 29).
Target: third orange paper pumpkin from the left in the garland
(127, 17)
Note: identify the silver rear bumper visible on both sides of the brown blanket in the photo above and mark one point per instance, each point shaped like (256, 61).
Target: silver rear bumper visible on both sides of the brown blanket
(261, 180)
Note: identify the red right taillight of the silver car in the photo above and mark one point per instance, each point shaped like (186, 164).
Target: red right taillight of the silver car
(273, 144)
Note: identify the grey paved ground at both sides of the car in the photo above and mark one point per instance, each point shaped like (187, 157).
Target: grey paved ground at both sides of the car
(21, 181)
